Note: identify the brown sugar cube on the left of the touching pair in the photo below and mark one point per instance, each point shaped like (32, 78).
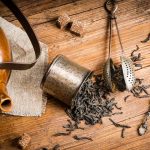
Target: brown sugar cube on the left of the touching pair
(63, 21)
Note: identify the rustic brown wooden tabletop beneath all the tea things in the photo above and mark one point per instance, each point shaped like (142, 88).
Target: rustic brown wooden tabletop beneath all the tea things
(91, 52)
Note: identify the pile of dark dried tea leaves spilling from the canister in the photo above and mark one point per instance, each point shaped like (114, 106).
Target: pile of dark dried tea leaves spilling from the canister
(92, 102)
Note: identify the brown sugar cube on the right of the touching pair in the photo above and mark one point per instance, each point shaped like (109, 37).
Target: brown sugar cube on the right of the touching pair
(77, 28)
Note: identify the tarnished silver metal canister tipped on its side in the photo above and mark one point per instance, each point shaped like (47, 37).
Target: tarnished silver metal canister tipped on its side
(63, 79)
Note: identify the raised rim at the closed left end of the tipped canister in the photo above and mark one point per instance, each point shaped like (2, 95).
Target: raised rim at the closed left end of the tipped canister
(48, 70)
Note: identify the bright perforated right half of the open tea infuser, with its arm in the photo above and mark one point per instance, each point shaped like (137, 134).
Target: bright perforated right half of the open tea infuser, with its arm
(126, 63)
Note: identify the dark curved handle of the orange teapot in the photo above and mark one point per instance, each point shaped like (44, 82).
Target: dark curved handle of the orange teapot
(25, 24)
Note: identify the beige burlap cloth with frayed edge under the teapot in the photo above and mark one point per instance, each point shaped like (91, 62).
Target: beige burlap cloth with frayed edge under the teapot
(24, 86)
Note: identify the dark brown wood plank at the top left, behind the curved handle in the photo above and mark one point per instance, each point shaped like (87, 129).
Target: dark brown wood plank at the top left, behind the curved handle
(32, 7)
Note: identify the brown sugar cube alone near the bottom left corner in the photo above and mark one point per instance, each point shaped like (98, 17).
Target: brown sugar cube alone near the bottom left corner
(24, 141)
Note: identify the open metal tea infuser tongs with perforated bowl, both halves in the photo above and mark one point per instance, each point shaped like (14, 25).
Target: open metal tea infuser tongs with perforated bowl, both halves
(126, 63)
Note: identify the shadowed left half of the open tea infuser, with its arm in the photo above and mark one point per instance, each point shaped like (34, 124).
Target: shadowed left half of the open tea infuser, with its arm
(109, 68)
